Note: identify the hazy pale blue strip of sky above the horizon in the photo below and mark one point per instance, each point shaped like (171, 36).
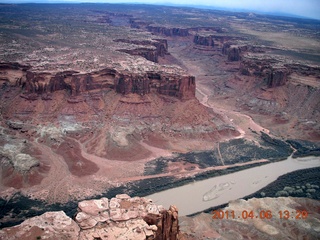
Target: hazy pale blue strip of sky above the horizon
(308, 8)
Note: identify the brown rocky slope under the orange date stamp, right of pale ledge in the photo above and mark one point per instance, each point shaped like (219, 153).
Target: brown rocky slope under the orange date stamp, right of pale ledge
(275, 226)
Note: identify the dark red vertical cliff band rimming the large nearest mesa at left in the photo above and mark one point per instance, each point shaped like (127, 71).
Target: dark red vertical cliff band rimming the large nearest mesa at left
(43, 84)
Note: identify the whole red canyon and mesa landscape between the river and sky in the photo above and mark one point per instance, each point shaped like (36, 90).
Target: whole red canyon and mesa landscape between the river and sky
(102, 98)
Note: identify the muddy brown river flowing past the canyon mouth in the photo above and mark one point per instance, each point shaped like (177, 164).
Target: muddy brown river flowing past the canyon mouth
(201, 195)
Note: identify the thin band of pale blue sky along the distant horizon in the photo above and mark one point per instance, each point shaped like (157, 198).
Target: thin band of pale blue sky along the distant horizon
(309, 9)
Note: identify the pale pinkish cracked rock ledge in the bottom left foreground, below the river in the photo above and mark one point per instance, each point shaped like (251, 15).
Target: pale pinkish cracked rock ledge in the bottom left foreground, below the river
(121, 217)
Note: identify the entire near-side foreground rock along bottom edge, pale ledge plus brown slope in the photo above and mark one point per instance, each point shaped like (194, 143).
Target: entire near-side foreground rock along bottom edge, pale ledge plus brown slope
(123, 217)
